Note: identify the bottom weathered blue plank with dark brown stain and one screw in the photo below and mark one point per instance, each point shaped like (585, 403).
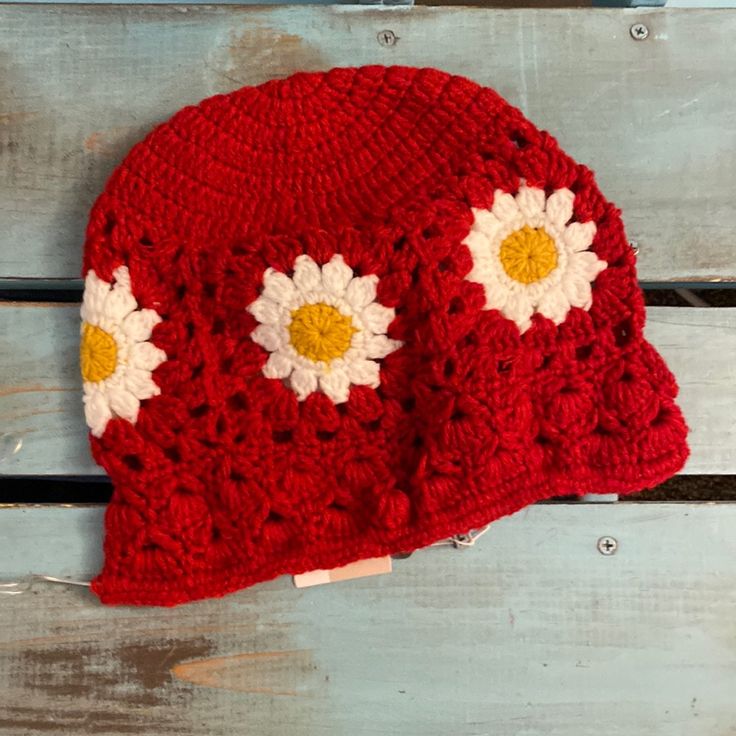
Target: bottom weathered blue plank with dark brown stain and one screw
(533, 631)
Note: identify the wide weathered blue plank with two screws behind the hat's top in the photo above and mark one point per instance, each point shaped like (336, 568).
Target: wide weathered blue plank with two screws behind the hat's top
(83, 83)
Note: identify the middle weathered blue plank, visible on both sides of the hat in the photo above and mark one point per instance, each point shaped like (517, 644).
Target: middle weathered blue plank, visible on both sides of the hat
(42, 429)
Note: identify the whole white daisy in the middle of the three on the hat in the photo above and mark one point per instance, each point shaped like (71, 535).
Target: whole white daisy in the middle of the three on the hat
(323, 328)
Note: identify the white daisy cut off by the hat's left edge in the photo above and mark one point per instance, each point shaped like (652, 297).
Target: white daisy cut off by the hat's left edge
(115, 354)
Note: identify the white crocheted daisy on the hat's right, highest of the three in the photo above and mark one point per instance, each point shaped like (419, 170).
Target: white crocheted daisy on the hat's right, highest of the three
(529, 259)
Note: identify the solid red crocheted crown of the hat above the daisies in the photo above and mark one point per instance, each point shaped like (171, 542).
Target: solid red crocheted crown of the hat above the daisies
(317, 149)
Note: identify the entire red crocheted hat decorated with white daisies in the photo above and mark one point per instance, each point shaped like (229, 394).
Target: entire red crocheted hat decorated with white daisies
(347, 314)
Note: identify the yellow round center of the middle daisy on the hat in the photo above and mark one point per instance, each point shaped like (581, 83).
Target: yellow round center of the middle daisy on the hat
(320, 332)
